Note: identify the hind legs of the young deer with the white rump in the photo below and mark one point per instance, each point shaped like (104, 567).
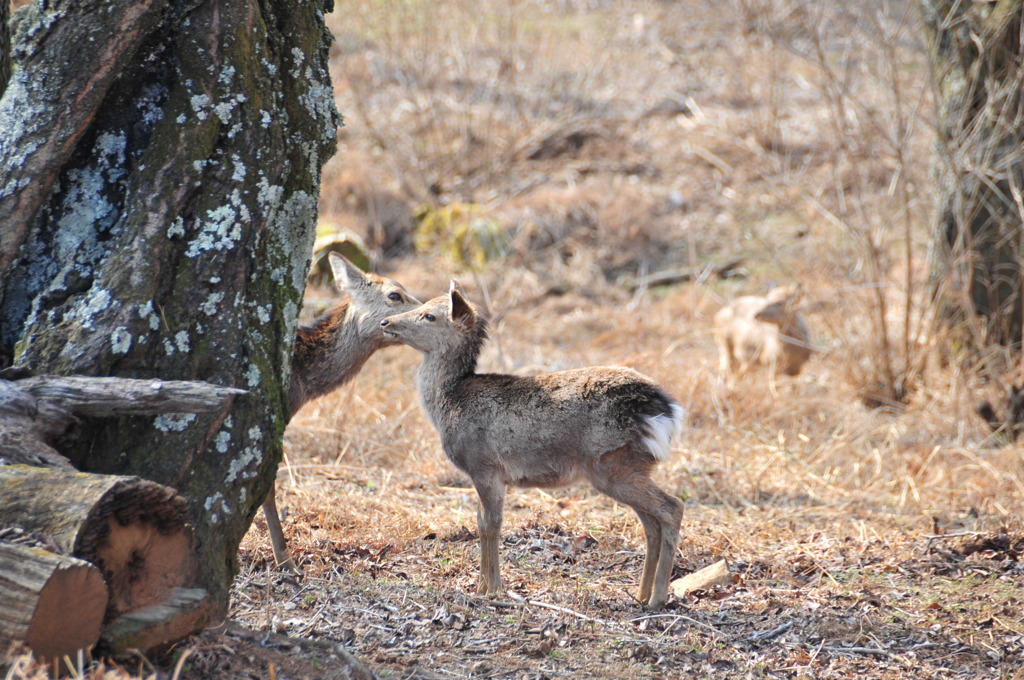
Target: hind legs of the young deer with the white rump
(624, 475)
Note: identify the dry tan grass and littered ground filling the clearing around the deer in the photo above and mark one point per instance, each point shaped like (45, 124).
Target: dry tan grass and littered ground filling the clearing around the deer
(614, 140)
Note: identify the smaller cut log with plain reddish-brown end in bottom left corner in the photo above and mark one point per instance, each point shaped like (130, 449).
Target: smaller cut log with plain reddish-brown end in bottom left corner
(53, 604)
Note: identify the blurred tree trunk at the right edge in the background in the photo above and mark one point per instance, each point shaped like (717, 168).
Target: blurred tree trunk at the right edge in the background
(978, 256)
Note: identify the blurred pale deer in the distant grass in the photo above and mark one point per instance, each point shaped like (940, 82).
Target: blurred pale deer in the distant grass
(767, 330)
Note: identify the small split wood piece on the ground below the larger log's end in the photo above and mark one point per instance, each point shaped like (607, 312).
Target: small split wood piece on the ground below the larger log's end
(187, 611)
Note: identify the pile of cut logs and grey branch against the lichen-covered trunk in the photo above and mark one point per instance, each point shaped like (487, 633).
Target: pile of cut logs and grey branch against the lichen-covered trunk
(93, 561)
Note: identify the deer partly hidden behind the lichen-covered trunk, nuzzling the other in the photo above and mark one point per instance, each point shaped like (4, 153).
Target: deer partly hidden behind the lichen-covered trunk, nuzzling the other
(332, 351)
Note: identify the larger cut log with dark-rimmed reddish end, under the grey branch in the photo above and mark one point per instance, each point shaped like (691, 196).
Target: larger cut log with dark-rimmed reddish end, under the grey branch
(135, 531)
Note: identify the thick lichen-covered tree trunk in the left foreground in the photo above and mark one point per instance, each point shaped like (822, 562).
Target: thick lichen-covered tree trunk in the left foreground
(159, 180)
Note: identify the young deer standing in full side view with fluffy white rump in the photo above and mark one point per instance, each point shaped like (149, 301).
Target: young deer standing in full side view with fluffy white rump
(610, 426)
